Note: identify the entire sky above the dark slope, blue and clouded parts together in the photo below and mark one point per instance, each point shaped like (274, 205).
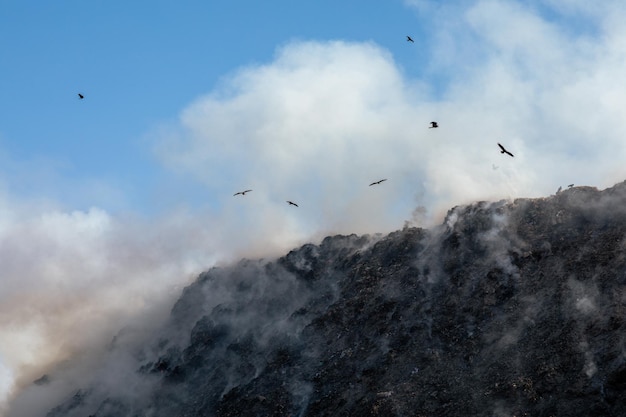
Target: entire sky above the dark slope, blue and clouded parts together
(111, 204)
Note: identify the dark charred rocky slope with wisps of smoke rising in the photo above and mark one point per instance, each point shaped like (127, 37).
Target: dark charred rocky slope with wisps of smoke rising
(506, 309)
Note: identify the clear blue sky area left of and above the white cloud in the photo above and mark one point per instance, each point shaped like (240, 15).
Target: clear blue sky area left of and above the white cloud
(139, 64)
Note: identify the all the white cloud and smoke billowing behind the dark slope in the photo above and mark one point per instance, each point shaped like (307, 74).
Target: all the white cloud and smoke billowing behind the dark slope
(316, 125)
